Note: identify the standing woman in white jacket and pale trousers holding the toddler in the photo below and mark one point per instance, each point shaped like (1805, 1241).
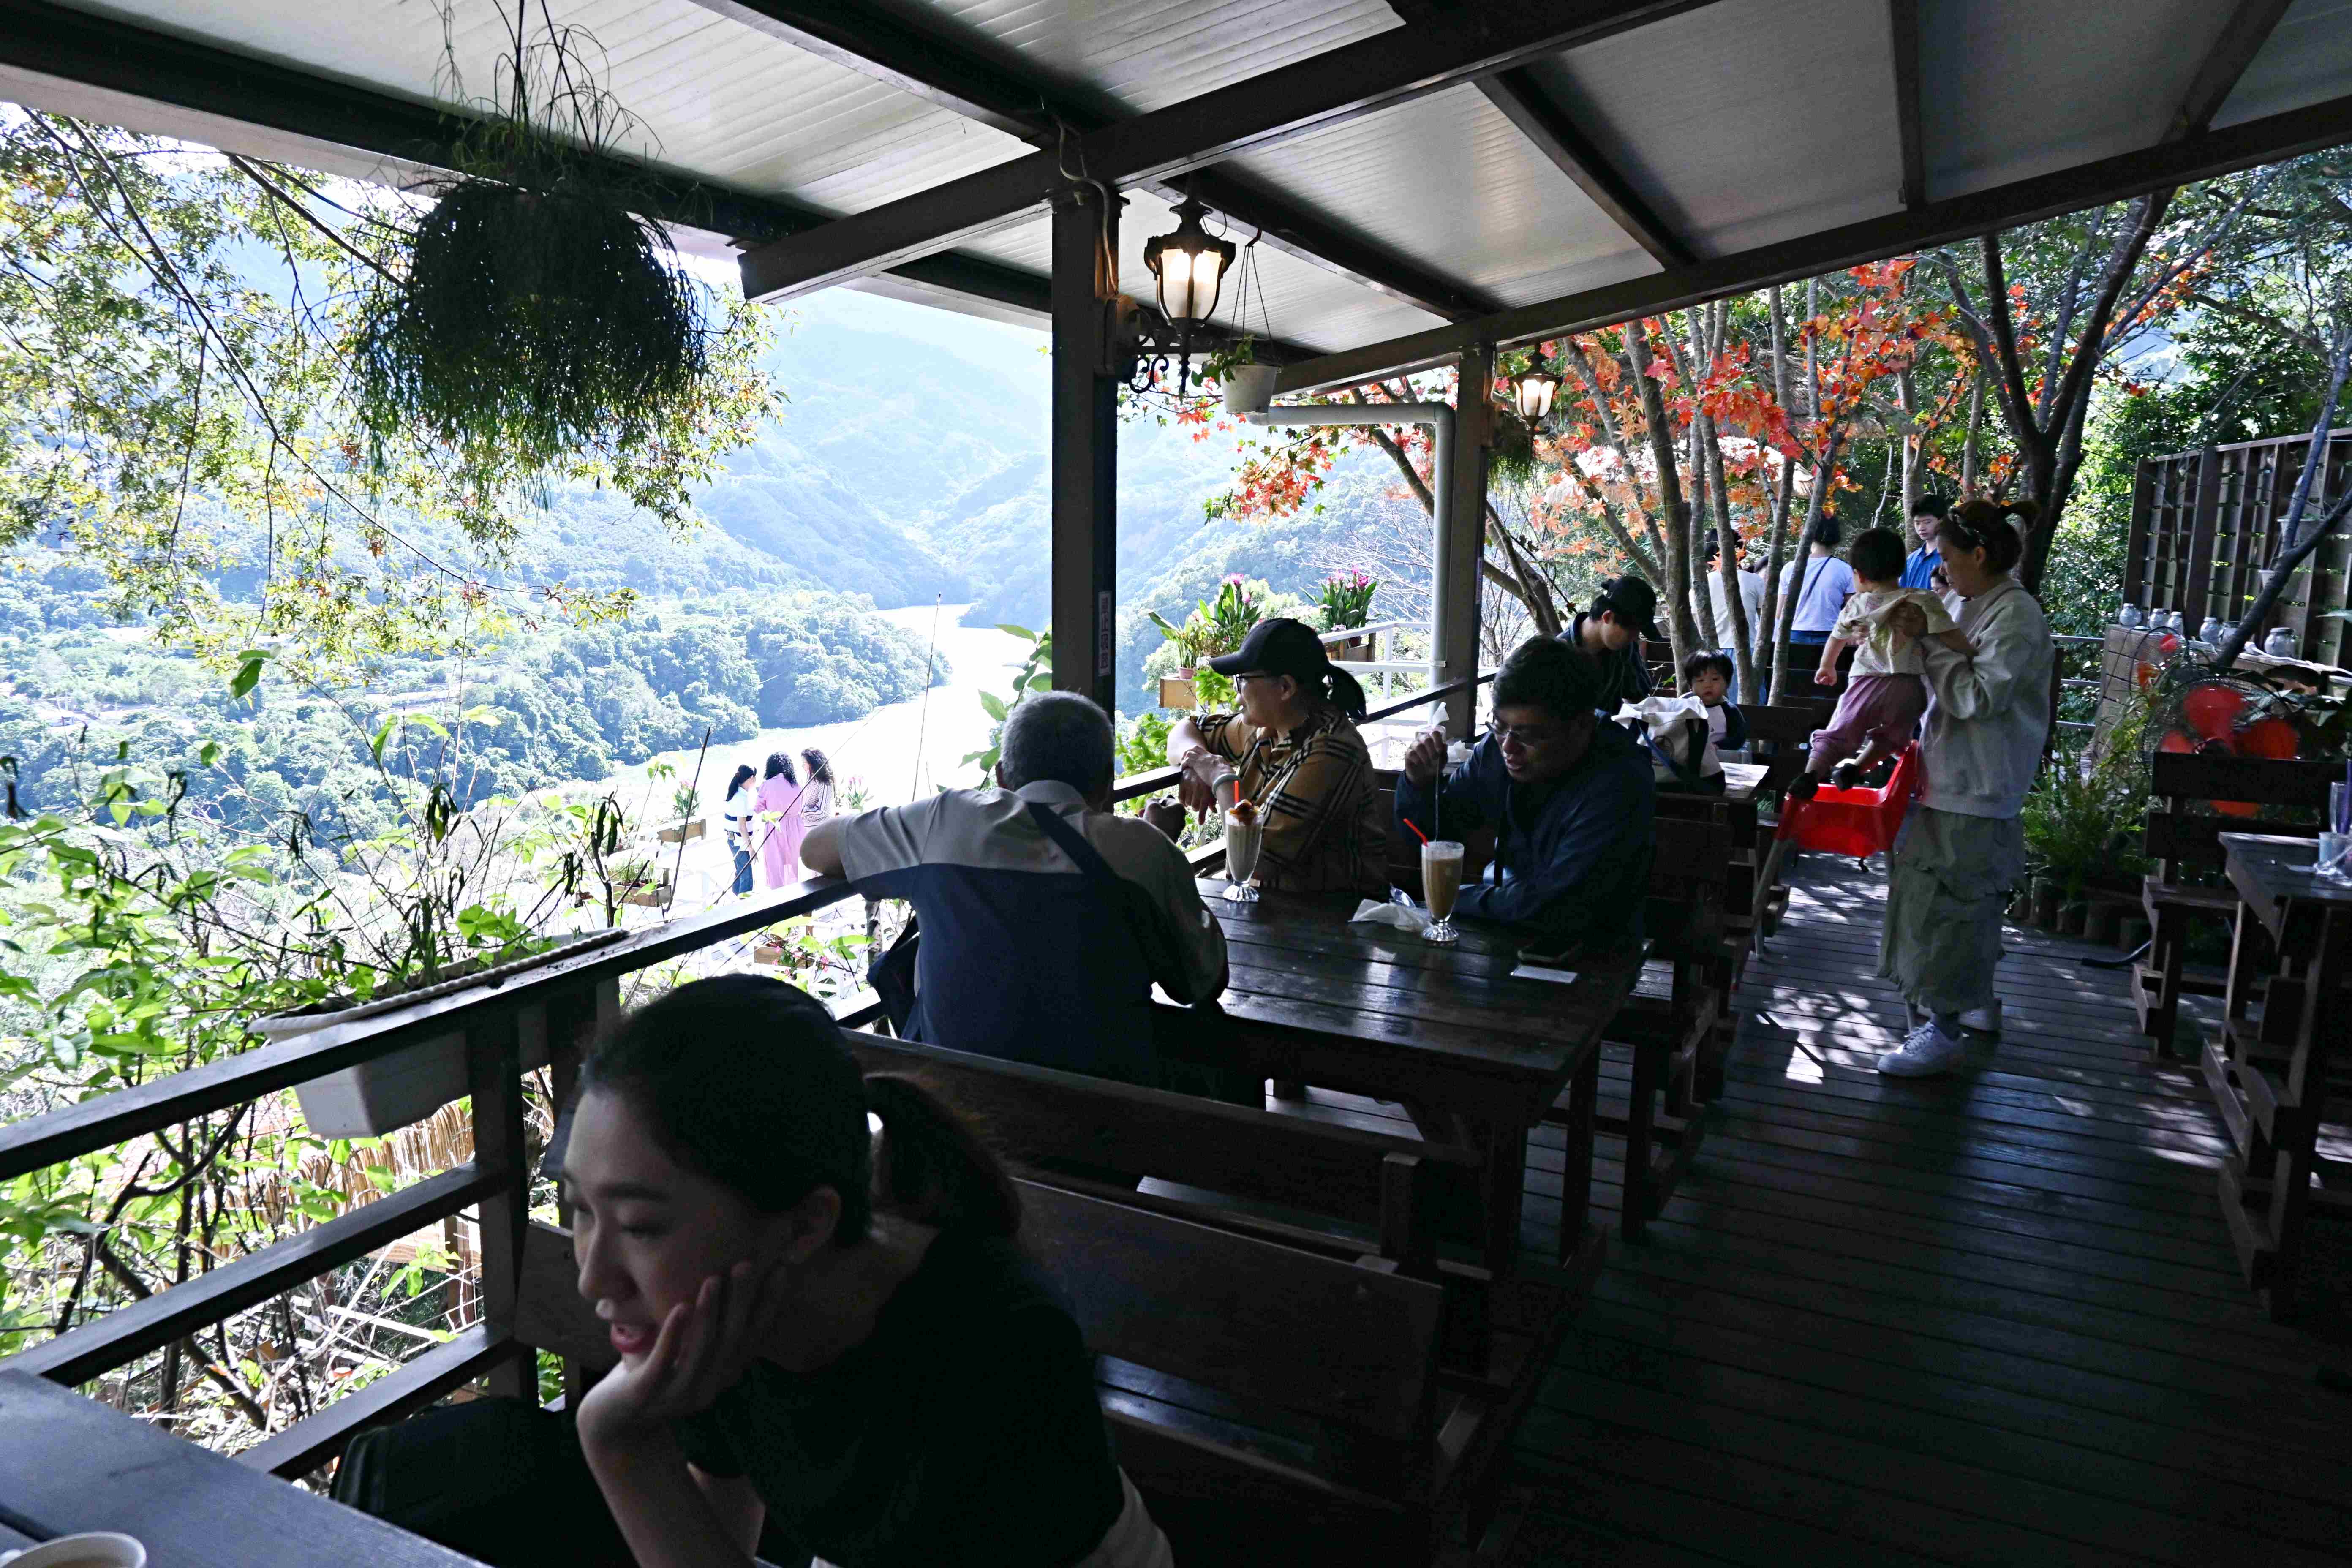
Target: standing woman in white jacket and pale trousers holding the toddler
(1963, 845)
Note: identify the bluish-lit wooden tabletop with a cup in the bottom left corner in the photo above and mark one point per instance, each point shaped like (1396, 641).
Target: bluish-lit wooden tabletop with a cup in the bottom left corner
(69, 1463)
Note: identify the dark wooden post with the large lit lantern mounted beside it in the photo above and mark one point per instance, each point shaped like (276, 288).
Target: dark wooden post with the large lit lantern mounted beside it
(1085, 448)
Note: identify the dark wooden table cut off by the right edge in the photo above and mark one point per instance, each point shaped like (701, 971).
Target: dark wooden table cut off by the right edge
(2271, 1073)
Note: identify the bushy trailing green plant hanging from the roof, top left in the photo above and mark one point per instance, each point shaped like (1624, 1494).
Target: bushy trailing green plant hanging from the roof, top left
(533, 309)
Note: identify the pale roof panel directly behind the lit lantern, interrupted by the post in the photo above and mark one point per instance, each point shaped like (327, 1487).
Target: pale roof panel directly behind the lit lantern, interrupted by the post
(1304, 302)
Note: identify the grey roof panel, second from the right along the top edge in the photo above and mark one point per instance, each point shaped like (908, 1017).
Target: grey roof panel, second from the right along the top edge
(2017, 88)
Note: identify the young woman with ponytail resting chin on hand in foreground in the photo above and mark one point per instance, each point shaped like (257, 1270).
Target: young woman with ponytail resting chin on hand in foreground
(831, 1346)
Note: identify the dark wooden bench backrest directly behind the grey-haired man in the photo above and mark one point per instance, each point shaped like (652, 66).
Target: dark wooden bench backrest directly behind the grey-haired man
(1041, 1118)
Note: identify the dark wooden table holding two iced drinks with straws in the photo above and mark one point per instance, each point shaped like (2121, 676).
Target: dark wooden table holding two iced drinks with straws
(1474, 1054)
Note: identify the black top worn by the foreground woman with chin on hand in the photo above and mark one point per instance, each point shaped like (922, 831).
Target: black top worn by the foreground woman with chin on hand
(963, 1430)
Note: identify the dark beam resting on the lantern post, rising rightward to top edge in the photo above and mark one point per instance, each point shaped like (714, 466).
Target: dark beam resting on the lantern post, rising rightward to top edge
(1262, 112)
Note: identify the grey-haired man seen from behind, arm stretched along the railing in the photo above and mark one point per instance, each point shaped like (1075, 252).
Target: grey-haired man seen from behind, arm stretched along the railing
(1045, 918)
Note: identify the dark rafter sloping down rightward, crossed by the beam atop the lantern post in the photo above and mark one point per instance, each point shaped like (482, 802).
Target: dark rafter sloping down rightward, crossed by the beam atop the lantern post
(956, 74)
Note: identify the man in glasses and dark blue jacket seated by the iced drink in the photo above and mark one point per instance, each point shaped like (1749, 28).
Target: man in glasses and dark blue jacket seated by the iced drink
(1568, 793)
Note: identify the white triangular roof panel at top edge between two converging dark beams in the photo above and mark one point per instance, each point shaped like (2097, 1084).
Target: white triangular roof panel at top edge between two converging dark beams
(1158, 53)
